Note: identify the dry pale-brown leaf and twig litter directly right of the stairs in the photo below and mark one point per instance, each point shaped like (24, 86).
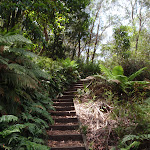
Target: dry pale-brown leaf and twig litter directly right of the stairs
(96, 122)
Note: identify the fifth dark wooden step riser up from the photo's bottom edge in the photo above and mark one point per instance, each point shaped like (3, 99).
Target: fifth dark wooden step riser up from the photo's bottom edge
(63, 113)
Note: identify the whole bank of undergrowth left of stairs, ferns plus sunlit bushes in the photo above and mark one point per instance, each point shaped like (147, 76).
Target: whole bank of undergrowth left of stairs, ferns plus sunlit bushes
(27, 85)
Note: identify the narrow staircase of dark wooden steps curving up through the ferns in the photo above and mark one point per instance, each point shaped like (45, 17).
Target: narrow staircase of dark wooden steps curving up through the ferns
(65, 133)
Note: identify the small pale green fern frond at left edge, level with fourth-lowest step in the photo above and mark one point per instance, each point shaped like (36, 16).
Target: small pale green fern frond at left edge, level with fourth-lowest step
(8, 118)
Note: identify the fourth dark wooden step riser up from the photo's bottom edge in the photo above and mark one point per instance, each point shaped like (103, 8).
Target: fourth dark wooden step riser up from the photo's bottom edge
(66, 120)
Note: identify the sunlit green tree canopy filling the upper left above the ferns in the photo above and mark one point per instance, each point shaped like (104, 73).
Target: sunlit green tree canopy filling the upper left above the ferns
(47, 23)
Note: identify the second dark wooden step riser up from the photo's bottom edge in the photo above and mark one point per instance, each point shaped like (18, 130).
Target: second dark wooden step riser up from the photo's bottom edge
(73, 137)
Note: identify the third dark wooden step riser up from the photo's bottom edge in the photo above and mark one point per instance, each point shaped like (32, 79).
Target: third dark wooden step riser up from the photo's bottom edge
(64, 127)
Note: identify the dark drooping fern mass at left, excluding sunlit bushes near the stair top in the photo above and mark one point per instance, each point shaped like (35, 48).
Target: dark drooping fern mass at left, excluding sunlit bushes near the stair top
(20, 90)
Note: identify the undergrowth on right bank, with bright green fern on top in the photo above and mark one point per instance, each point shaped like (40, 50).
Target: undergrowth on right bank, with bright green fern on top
(130, 107)
